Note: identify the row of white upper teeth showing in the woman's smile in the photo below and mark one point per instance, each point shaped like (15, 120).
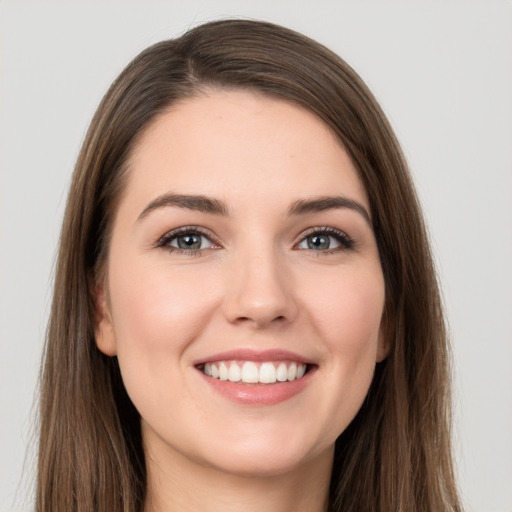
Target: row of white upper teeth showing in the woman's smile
(252, 373)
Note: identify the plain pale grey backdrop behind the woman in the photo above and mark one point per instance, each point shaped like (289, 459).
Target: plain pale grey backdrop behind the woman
(443, 73)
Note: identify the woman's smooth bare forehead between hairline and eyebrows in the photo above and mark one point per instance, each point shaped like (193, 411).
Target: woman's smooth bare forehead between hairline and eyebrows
(238, 144)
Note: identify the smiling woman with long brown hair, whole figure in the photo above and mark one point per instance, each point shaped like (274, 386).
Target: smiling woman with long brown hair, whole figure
(246, 313)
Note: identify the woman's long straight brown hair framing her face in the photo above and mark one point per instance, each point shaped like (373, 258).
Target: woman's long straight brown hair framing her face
(396, 453)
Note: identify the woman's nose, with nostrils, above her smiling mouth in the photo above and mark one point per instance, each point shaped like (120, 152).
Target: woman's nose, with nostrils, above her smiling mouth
(259, 291)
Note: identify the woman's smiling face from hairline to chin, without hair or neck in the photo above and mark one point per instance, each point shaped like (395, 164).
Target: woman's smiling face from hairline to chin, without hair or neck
(242, 256)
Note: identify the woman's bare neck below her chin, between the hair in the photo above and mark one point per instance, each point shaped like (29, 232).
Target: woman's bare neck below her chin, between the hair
(177, 484)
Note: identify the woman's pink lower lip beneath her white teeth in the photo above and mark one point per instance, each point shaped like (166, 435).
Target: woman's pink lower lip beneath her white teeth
(259, 394)
